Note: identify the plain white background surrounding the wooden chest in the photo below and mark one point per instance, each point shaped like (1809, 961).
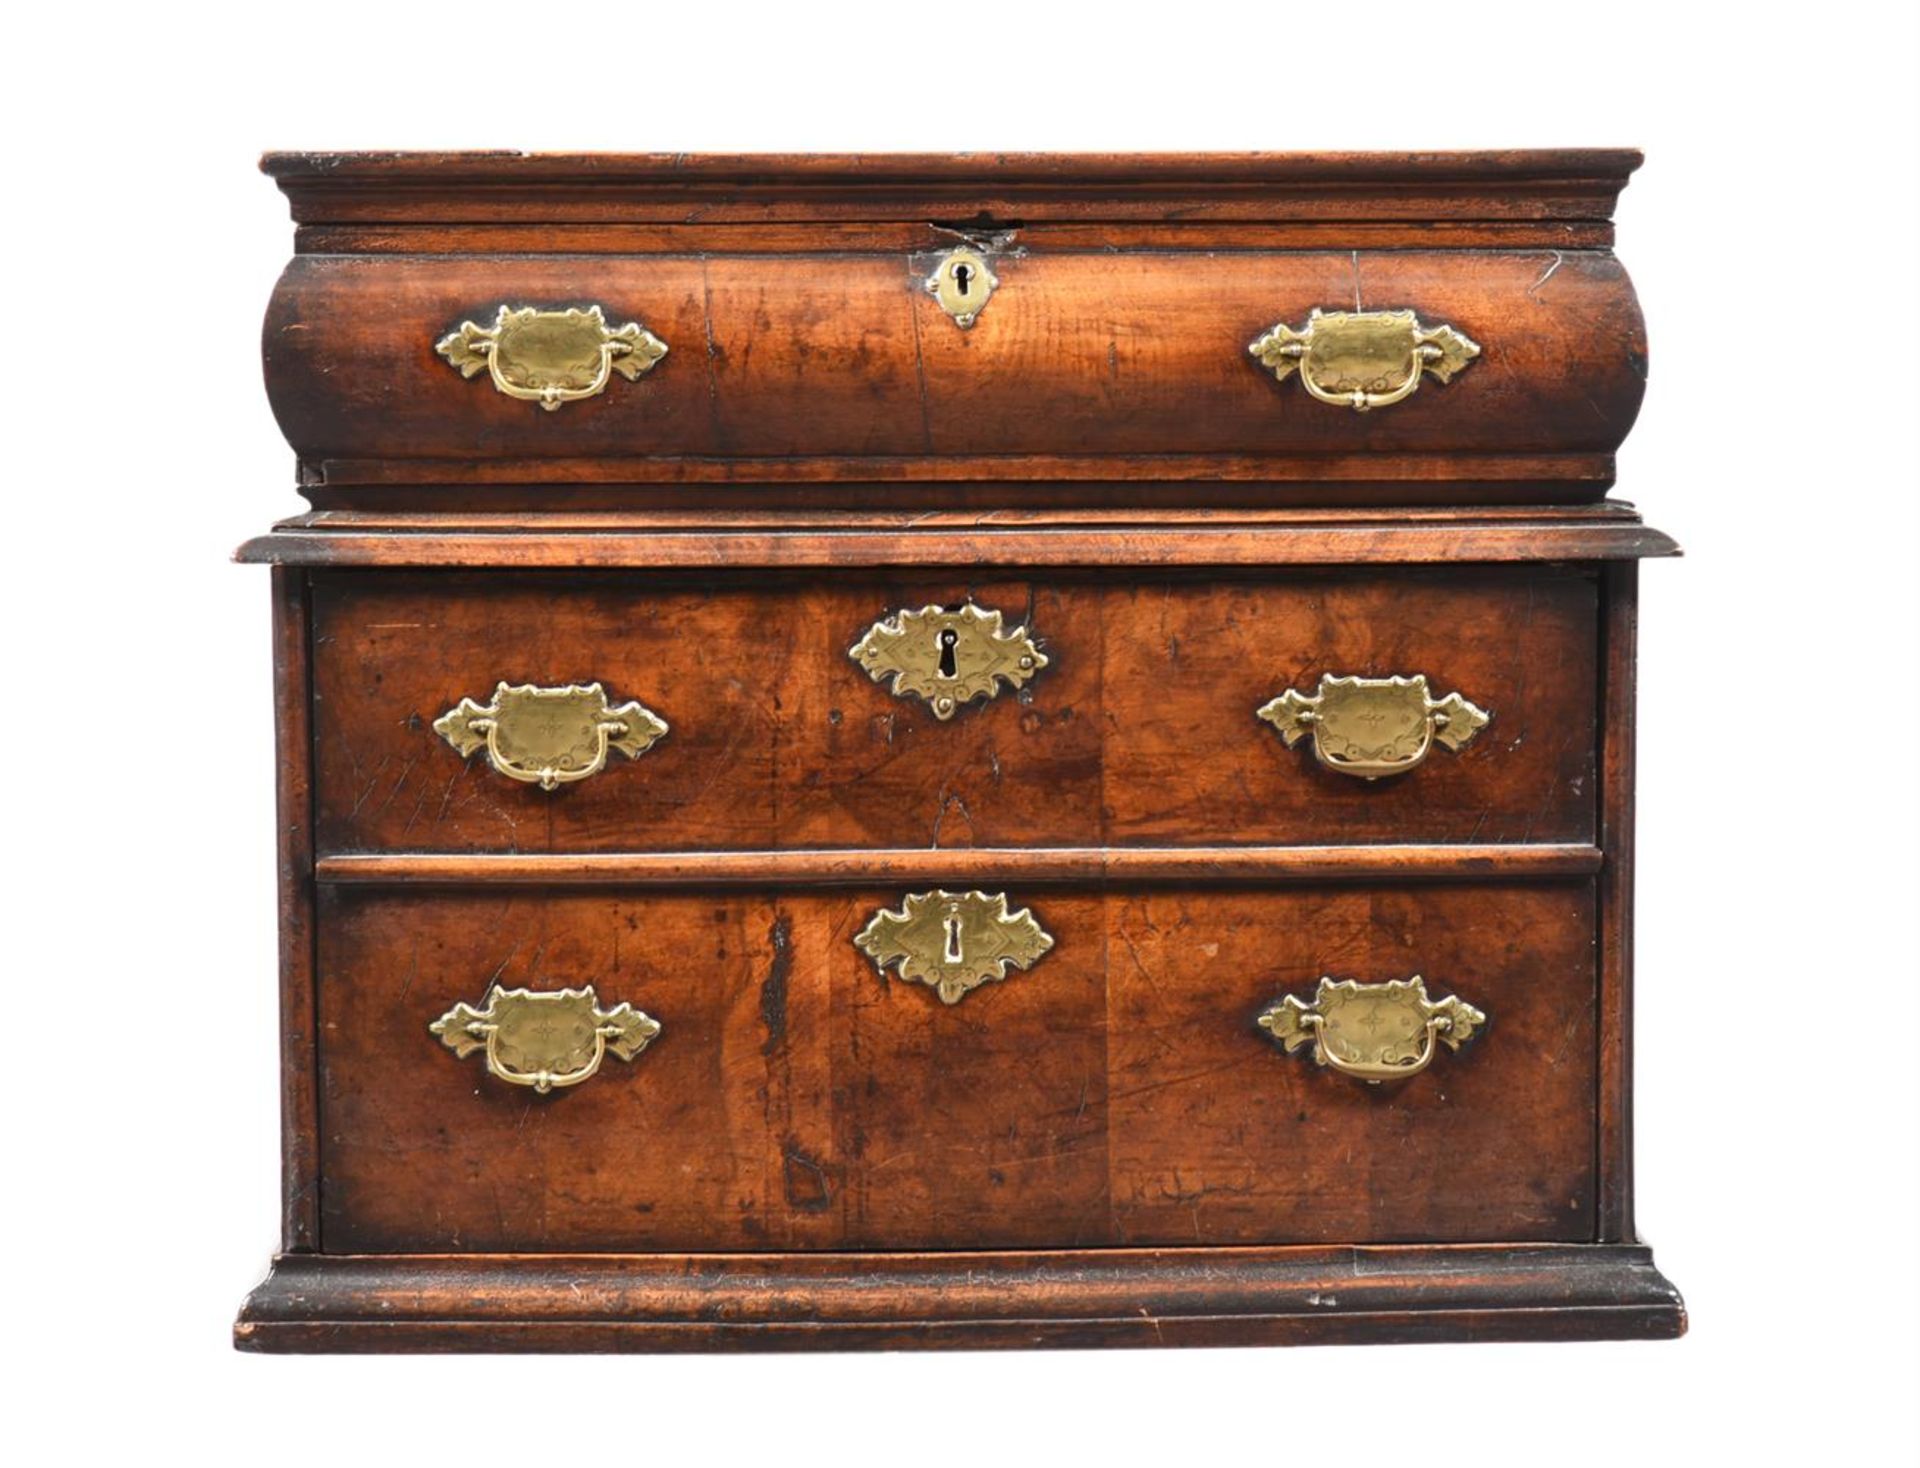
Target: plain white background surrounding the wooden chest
(1773, 239)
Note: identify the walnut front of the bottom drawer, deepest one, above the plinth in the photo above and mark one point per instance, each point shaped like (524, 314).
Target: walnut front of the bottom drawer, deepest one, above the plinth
(1118, 1093)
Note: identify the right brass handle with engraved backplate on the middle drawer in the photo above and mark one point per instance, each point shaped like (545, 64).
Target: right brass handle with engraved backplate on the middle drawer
(1374, 726)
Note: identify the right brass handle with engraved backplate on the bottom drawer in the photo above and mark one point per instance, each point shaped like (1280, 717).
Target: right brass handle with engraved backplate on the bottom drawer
(1372, 1031)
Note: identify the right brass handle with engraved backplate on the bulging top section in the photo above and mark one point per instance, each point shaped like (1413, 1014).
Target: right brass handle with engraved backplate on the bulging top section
(1364, 360)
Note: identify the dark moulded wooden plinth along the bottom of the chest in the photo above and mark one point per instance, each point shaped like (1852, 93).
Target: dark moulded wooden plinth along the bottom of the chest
(828, 1302)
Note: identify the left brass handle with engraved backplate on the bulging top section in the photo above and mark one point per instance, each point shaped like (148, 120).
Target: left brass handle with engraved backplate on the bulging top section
(552, 358)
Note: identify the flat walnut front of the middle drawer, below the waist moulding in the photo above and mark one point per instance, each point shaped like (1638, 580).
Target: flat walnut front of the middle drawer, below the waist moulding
(1140, 728)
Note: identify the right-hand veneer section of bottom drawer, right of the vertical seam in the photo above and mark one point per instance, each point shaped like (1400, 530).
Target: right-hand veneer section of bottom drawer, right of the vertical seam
(1220, 1137)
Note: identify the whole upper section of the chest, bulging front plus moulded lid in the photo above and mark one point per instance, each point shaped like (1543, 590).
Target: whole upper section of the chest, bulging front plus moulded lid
(1456, 331)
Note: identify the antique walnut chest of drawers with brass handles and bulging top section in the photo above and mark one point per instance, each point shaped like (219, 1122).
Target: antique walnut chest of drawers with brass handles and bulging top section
(955, 751)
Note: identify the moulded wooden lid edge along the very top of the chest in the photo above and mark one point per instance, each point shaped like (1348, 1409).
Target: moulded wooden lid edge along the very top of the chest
(1197, 193)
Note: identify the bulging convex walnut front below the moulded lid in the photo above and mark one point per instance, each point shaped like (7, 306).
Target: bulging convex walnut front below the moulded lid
(852, 358)
